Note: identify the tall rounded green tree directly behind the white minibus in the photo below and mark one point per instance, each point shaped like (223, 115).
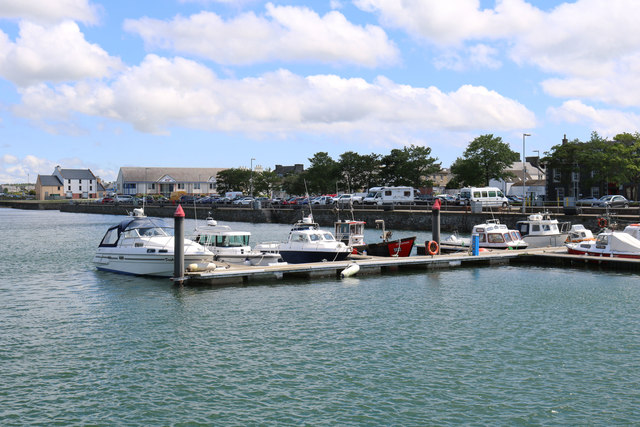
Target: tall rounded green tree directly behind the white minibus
(485, 158)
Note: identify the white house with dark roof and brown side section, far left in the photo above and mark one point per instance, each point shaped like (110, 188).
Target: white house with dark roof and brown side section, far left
(70, 184)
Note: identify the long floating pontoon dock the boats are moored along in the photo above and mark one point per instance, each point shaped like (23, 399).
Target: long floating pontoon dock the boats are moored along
(368, 265)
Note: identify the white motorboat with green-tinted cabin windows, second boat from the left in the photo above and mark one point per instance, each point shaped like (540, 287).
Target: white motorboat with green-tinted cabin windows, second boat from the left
(231, 246)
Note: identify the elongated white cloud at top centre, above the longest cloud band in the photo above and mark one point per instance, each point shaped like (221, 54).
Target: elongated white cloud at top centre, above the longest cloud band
(286, 33)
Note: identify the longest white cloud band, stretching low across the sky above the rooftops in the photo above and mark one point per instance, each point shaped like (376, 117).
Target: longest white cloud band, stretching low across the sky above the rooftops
(161, 93)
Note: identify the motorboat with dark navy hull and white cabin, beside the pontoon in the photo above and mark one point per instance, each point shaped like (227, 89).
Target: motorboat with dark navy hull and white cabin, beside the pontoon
(307, 243)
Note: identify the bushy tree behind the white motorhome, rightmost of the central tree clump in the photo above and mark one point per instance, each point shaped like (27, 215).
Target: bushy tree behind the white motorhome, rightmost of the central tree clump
(409, 166)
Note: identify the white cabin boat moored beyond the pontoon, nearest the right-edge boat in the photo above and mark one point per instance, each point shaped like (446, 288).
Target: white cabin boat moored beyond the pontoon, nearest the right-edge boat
(540, 230)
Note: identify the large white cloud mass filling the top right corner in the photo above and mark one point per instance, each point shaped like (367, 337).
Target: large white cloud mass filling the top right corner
(594, 43)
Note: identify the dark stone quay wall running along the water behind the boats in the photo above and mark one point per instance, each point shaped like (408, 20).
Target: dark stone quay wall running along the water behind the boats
(406, 218)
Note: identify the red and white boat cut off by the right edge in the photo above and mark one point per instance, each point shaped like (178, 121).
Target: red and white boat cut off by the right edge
(617, 244)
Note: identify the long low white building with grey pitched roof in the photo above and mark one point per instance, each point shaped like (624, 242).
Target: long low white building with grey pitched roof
(154, 180)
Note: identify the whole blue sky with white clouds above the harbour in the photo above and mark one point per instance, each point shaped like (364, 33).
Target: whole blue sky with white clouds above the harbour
(241, 83)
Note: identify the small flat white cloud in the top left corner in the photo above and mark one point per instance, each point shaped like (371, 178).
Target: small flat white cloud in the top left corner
(48, 11)
